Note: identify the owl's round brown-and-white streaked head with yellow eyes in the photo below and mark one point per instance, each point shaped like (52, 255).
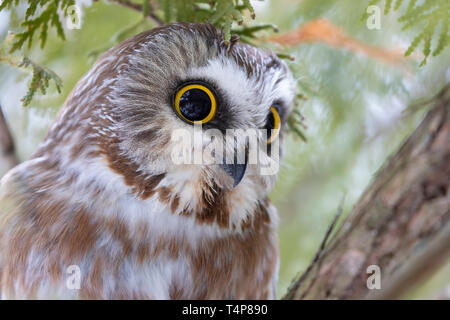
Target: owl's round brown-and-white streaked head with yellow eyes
(174, 79)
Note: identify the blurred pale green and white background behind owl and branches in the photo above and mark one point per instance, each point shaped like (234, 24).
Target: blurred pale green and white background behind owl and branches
(357, 109)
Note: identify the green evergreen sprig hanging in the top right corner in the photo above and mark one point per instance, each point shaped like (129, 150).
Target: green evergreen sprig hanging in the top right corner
(429, 15)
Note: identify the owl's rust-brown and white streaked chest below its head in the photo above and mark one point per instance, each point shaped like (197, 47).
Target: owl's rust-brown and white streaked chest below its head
(120, 247)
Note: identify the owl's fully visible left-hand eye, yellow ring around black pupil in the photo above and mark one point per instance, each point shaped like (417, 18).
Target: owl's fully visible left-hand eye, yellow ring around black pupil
(195, 103)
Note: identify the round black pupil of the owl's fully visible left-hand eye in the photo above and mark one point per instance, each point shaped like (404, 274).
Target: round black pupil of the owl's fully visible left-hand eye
(195, 104)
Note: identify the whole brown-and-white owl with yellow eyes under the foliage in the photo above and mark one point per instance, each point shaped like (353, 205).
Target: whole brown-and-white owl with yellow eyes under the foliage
(101, 210)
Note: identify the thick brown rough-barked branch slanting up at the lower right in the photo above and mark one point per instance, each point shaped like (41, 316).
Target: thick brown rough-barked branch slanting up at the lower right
(401, 223)
